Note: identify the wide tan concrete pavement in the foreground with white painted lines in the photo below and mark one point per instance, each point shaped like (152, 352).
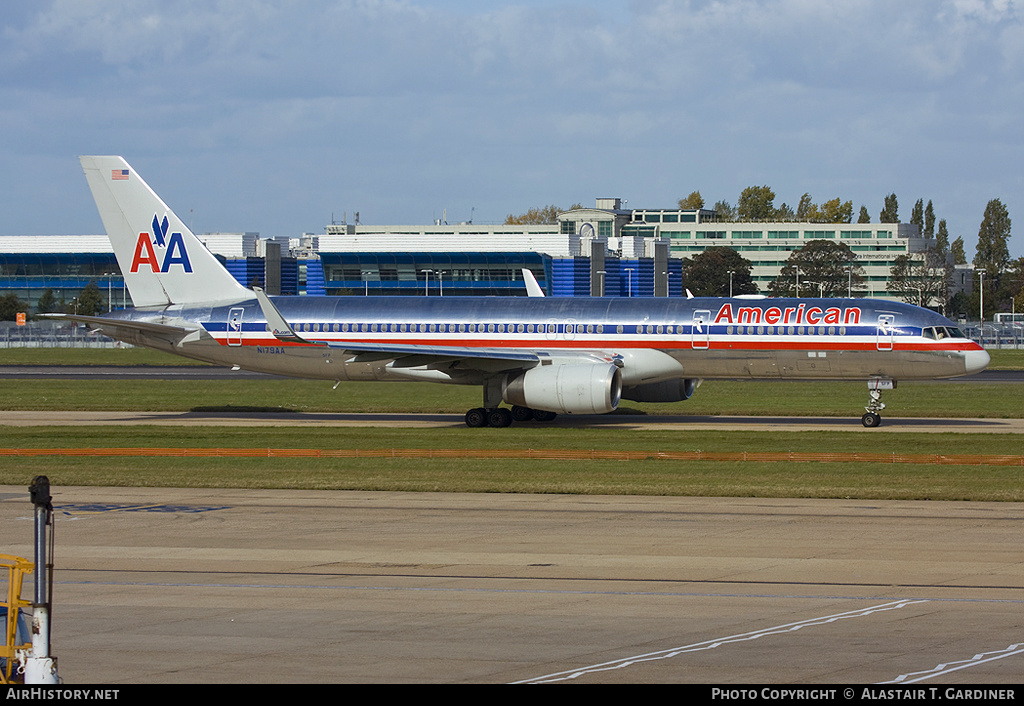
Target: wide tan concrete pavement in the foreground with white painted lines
(162, 586)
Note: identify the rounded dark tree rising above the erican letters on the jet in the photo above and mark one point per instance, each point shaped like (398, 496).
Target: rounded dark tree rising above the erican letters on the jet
(825, 268)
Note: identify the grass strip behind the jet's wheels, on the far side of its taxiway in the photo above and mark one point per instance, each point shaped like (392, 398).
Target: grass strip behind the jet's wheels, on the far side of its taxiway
(943, 399)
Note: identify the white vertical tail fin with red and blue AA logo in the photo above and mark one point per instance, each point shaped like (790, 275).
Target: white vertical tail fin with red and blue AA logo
(161, 260)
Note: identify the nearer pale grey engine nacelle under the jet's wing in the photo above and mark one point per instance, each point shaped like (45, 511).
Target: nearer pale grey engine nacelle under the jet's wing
(569, 389)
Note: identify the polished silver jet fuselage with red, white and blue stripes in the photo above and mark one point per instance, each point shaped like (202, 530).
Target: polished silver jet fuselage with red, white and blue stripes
(654, 339)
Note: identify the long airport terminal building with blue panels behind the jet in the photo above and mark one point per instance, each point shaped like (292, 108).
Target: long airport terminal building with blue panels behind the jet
(607, 251)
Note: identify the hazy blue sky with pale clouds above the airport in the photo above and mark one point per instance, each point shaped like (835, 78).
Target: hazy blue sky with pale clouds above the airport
(252, 115)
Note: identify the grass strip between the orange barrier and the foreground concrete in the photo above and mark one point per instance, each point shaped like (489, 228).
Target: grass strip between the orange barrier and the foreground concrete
(862, 481)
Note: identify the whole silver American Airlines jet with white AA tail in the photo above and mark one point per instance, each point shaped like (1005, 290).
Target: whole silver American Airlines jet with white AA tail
(543, 356)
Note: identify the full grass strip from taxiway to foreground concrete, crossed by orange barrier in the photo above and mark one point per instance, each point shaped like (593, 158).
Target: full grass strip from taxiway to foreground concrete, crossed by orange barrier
(710, 479)
